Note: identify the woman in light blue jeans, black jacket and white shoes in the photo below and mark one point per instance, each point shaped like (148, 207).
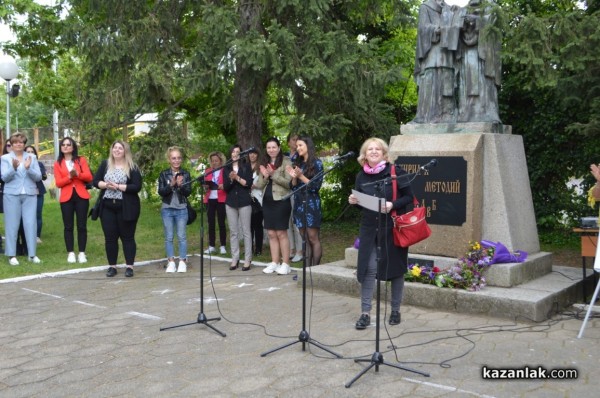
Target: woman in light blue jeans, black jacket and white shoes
(174, 186)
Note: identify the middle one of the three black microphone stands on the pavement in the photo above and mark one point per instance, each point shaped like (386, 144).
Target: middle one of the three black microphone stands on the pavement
(304, 336)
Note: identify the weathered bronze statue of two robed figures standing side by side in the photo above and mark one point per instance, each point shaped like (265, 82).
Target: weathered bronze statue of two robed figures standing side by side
(458, 65)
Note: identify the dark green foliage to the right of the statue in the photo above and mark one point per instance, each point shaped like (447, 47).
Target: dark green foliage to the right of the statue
(550, 96)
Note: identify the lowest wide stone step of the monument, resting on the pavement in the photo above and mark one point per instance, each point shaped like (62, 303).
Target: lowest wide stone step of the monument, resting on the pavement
(535, 300)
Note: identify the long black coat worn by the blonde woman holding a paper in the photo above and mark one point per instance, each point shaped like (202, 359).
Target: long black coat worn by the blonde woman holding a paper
(394, 259)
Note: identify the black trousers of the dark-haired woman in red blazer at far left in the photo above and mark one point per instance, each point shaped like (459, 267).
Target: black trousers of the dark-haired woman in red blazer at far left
(76, 206)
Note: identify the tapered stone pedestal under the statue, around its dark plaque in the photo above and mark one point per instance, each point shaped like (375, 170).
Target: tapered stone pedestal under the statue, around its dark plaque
(497, 193)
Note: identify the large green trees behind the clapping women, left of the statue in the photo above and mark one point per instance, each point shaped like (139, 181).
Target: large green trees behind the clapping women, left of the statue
(339, 71)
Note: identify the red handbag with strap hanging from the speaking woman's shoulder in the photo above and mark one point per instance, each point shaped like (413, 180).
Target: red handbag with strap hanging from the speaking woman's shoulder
(409, 228)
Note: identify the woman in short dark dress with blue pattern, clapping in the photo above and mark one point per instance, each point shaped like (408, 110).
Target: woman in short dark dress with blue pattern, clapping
(306, 166)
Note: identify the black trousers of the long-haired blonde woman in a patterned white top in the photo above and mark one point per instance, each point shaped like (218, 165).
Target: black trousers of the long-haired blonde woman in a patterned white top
(115, 228)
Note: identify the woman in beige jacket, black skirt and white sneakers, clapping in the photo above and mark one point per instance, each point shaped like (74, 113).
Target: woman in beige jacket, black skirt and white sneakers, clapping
(274, 180)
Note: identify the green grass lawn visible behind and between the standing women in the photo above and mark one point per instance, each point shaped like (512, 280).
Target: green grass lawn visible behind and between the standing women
(150, 242)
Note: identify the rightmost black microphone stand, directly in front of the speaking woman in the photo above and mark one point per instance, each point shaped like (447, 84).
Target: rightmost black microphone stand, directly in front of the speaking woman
(377, 357)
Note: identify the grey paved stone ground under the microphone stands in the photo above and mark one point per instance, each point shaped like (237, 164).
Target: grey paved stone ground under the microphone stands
(85, 335)
